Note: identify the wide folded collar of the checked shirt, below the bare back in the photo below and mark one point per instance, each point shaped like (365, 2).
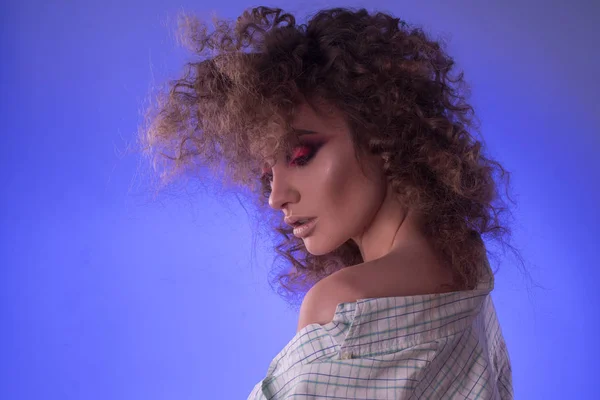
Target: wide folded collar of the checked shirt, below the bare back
(387, 324)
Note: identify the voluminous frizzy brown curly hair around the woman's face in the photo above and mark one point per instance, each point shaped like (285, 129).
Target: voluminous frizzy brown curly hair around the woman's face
(232, 110)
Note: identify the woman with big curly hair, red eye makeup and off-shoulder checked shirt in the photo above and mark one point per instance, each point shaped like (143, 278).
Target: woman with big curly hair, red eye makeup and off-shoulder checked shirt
(354, 131)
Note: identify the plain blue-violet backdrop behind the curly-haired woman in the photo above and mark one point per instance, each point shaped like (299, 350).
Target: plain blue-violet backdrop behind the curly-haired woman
(107, 294)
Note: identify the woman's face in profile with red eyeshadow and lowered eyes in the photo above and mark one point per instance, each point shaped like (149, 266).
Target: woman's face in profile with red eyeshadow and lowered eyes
(322, 179)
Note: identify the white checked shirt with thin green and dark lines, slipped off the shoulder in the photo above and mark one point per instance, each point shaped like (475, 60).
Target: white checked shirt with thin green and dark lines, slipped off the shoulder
(436, 346)
